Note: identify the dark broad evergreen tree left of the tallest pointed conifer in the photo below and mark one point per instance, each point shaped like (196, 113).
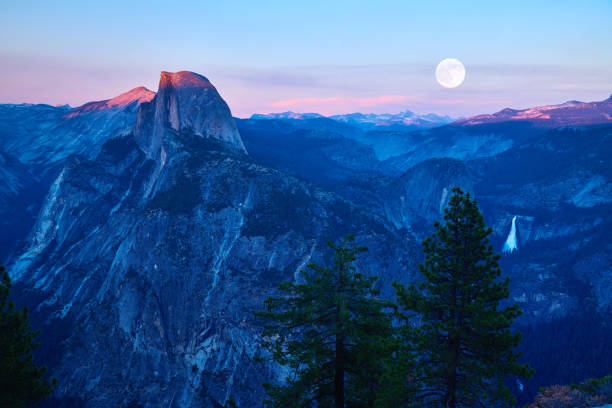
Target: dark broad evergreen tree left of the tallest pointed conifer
(331, 333)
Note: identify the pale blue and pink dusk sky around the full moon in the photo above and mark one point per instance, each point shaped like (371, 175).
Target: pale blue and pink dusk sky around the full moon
(328, 57)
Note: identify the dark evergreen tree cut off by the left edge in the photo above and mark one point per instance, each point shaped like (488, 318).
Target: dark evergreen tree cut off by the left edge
(22, 382)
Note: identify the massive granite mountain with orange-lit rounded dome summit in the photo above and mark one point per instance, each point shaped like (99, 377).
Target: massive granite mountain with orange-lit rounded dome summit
(144, 273)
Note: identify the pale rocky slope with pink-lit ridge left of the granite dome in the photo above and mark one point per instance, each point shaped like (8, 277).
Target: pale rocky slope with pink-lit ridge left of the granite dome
(36, 141)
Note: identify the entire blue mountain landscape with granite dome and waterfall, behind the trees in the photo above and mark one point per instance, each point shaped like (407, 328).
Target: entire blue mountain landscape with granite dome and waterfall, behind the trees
(143, 231)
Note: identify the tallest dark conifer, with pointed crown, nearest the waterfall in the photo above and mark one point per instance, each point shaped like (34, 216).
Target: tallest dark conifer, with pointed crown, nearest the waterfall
(465, 342)
